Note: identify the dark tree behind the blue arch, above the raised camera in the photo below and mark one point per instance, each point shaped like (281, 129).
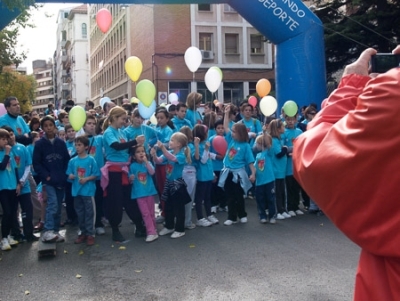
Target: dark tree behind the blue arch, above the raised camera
(351, 26)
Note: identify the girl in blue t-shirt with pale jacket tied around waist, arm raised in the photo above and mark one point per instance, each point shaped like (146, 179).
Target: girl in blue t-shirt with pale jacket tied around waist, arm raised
(234, 178)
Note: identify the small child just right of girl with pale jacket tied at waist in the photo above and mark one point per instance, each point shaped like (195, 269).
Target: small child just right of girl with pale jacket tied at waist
(265, 179)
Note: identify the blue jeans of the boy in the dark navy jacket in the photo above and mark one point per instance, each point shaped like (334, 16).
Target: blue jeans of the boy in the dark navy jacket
(55, 196)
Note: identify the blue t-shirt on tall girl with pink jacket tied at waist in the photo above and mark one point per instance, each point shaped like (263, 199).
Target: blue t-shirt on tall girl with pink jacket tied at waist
(110, 136)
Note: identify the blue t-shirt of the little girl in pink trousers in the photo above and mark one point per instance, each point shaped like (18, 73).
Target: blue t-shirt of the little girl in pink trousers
(142, 185)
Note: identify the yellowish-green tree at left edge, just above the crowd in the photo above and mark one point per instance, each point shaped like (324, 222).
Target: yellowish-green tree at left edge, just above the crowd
(19, 85)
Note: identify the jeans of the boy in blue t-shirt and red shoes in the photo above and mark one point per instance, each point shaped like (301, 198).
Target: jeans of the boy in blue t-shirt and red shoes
(85, 210)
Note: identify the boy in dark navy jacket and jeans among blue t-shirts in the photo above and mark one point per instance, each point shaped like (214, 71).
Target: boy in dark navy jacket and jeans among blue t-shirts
(50, 161)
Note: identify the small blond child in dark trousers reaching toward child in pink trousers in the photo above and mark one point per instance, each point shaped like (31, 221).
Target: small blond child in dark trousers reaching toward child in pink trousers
(175, 194)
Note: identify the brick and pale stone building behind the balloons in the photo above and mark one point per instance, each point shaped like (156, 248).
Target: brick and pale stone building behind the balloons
(160, 34)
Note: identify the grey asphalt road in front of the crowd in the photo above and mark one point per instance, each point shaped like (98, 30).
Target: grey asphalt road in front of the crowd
(303, 258)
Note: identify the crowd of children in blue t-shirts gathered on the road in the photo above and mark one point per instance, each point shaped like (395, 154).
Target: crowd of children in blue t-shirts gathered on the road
(120, 163)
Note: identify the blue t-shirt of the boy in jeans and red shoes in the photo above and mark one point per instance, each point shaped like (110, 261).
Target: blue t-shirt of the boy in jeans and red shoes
(83, 168)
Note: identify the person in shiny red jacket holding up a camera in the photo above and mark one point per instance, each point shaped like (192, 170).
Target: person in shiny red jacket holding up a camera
(348, 162)
